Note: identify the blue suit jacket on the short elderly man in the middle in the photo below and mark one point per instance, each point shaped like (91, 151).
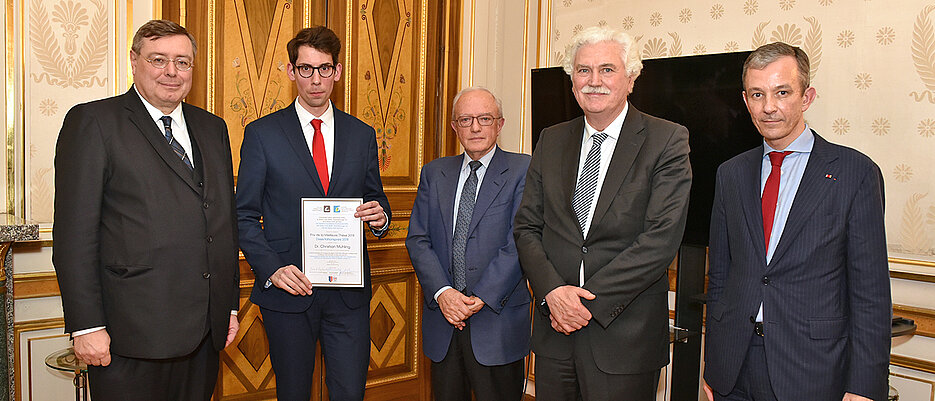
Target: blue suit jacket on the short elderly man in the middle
(499, 331)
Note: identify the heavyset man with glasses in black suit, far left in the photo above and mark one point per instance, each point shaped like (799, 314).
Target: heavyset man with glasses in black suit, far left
(145, 230)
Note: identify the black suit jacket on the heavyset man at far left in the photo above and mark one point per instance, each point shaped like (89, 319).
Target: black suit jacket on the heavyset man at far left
(143, 245)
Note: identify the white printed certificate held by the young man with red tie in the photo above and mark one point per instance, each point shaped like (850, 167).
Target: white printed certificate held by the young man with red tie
(332, 242)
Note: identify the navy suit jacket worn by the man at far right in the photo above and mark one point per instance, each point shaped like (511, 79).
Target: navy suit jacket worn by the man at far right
(826, 291)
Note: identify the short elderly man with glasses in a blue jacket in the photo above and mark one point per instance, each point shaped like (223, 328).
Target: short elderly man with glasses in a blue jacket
(461, 246)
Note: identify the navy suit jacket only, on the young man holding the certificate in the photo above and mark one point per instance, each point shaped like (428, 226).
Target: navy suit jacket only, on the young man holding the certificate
(276, 172)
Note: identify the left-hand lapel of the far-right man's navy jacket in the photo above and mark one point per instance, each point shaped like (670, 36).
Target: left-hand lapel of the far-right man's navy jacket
(750, 199)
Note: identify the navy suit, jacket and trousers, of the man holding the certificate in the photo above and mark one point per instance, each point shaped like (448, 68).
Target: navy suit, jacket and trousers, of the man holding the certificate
(276, 171)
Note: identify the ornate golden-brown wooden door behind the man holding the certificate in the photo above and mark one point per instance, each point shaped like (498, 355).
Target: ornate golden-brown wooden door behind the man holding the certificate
(398, 78)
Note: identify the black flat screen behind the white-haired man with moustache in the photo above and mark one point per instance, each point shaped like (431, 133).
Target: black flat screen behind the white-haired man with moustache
(703, 93)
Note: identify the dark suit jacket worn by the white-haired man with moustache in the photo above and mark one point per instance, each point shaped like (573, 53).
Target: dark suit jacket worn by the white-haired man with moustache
(634, 236)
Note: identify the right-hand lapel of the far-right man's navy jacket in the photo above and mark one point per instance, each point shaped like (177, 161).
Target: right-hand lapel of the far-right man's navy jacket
(813, 187)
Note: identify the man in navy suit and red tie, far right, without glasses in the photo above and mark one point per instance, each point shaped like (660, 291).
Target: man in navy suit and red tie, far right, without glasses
(798, 293)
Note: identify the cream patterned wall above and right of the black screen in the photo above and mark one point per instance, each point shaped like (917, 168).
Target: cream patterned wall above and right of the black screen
(873, 66)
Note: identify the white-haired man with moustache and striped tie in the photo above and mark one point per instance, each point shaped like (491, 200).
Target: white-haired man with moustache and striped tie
(602, 217)
